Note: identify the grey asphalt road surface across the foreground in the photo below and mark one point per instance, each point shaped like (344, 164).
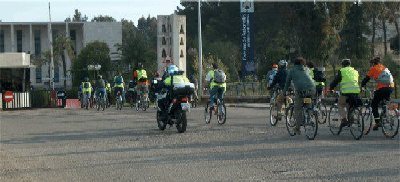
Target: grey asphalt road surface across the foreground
(80, 145)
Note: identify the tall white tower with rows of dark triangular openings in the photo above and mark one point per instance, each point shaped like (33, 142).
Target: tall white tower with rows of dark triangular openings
(171, 40)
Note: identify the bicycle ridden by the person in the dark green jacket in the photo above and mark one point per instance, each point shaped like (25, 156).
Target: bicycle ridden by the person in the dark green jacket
(310, 123)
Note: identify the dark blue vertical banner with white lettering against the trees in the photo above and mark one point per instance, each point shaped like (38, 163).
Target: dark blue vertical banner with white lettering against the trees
(247, 36)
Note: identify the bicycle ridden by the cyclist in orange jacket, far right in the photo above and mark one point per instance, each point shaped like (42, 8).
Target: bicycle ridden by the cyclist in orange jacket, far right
(387, 117)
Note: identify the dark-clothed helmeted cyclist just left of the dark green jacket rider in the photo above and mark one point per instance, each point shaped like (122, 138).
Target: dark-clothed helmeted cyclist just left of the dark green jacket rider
(280, 80)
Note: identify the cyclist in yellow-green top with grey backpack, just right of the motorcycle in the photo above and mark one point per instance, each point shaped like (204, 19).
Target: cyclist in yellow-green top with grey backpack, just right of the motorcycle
(216, 79)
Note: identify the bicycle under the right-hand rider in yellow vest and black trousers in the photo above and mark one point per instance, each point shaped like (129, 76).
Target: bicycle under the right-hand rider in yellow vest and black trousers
(354, 115)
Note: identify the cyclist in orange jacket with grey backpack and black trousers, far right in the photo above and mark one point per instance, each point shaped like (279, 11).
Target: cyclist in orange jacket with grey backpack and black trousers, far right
(384, 87)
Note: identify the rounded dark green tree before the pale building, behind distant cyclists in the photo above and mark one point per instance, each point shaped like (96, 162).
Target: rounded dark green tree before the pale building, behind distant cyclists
(92, 54)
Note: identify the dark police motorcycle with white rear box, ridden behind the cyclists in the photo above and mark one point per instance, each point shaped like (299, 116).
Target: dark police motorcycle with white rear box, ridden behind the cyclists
(173, 104)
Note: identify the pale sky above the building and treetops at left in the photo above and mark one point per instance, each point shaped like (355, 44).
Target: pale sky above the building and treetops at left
(37, 10)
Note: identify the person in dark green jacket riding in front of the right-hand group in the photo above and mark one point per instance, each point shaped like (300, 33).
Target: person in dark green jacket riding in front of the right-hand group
(303, 85)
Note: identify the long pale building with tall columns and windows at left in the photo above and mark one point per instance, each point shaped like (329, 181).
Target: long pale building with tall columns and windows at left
(33, 38)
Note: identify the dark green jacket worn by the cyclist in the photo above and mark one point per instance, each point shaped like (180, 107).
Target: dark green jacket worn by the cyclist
(300, 76)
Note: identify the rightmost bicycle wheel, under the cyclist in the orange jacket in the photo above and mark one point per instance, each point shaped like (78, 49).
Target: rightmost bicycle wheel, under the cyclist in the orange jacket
(390, 124)
